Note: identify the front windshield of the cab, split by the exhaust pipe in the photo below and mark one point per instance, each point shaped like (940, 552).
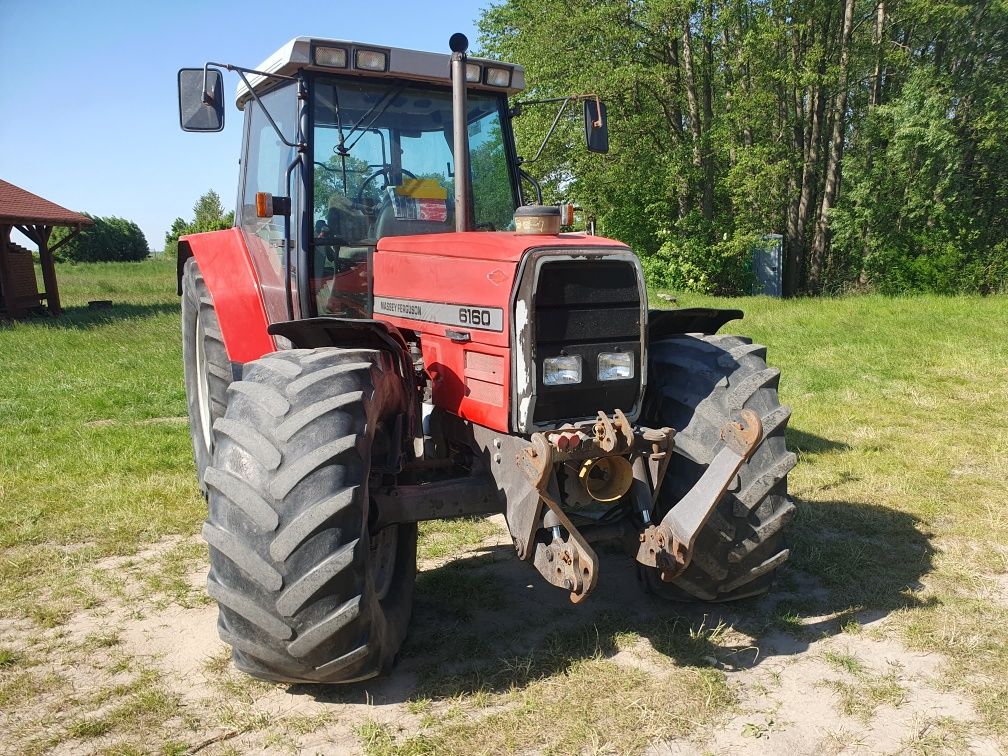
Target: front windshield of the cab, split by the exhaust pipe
(384, 167)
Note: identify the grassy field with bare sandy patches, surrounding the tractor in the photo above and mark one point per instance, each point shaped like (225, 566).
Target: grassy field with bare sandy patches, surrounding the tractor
(901, 543)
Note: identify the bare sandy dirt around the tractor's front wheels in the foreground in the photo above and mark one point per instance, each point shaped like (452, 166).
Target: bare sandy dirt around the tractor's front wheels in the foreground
(810, 687)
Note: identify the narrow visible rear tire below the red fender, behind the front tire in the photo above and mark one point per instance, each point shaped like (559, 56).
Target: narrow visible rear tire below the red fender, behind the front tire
(207, 367)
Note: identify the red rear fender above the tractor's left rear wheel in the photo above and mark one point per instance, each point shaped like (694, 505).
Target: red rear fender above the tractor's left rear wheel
(227, 269)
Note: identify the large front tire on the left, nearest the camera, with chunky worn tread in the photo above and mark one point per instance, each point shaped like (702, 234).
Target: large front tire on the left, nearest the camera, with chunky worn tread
(307, 592)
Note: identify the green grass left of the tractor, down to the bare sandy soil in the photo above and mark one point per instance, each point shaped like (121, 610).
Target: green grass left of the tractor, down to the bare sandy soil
(91, 465)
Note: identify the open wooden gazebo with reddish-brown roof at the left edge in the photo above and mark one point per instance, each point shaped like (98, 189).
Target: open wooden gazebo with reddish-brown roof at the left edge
(36, 218)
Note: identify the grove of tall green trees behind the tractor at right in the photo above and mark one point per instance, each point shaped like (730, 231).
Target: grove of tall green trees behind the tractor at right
(869, 134)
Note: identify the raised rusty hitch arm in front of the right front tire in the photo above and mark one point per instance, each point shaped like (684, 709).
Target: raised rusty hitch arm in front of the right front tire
(669, 546)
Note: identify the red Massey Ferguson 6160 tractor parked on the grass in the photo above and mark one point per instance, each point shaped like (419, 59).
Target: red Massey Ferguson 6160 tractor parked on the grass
(391, 335)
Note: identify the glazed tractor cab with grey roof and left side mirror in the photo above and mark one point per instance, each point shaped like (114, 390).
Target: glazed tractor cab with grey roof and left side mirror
(350, 144)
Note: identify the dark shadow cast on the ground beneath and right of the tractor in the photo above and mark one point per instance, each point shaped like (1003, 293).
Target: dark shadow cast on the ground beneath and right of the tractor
(487, 622)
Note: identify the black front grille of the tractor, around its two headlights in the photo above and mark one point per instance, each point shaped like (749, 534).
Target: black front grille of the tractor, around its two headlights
(585, 307)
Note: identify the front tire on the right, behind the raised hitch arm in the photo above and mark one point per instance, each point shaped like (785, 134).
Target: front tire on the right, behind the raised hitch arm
(697, 385)
